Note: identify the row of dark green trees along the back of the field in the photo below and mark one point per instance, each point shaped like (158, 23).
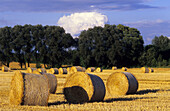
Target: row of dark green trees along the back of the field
(111, 45)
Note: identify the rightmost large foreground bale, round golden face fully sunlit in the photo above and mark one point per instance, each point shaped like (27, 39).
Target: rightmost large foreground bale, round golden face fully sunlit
(121, 83)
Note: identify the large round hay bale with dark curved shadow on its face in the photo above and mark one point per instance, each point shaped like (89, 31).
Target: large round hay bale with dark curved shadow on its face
(81, 87)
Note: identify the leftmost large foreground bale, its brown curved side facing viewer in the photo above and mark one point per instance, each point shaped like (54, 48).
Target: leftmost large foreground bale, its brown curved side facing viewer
(29, 89)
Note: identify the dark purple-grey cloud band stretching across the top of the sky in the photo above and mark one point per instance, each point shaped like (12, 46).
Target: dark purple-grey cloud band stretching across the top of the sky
(71, 5)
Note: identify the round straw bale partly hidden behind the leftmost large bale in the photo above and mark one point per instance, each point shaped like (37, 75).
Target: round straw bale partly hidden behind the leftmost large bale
(52, 80)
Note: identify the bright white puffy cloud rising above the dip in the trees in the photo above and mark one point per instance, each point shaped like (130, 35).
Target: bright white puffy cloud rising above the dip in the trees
(77, 22)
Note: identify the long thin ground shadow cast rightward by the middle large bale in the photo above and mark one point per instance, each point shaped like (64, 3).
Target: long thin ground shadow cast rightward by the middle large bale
(126, 99)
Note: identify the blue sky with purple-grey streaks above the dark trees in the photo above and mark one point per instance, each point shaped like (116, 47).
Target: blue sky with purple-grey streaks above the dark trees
(150, 17)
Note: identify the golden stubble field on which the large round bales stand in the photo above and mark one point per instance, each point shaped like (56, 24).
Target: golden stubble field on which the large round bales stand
(153, 94)
